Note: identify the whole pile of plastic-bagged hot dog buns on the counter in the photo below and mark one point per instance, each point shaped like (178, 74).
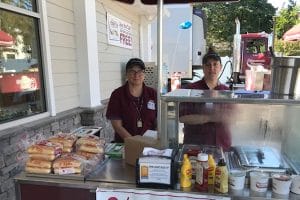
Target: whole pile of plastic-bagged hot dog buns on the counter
(64, 153)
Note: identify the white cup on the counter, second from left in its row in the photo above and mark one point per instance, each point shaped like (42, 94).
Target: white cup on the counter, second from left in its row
(259, 181)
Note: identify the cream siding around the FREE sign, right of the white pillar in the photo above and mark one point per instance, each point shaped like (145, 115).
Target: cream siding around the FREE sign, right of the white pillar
(112, 59)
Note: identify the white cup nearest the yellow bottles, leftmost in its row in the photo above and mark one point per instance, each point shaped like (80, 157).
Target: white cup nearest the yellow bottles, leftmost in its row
(237, 180)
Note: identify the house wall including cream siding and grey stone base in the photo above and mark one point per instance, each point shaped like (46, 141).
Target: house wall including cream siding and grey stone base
(65, 73)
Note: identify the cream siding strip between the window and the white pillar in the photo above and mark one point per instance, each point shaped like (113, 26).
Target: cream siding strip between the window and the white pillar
(63, 54)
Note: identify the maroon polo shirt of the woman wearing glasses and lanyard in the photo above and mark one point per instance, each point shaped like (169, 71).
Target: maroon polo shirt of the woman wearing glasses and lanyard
(123, 106)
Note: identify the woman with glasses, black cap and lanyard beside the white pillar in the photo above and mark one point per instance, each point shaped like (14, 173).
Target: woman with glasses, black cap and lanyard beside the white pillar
(132, 108)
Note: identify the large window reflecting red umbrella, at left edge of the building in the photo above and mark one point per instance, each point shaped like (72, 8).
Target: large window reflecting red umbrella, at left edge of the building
(21, 75)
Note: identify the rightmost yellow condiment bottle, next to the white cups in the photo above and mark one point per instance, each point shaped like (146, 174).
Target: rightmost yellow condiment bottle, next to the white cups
(221, 177)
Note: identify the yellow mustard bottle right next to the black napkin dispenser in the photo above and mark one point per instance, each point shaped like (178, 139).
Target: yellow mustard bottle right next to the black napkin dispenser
(186, 172)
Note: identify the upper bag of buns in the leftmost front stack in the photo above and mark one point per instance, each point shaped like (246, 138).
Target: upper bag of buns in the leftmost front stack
(45, 147)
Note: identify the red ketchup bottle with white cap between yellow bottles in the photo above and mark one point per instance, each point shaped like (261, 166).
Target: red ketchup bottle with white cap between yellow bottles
(201, 182)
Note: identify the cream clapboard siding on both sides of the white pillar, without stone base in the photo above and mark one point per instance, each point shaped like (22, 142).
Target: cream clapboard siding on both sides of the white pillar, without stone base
(112, 59)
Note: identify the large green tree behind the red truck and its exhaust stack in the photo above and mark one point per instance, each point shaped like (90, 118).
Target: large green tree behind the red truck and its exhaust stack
(254, 16)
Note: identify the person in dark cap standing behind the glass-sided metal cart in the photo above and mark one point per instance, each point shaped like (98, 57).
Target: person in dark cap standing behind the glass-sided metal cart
(202, 124)
